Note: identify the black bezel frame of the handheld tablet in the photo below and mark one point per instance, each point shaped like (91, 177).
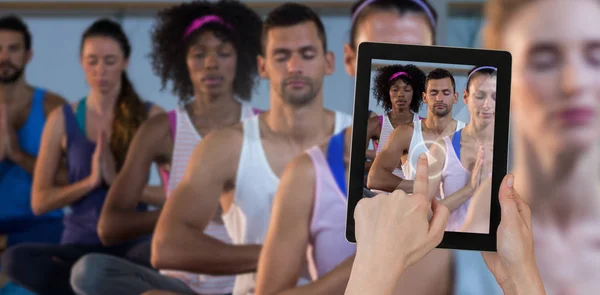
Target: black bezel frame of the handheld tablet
(369, 51)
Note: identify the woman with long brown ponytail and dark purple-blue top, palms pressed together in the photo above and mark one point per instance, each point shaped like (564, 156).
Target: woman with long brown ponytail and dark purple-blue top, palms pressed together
(94, 135)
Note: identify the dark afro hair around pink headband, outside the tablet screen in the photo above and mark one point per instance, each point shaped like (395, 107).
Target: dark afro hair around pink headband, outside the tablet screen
(169, 48)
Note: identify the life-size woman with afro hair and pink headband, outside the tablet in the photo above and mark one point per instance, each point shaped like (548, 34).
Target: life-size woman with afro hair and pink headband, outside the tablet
(208, 52)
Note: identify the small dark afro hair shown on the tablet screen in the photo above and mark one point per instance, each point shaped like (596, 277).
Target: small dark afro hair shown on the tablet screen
(381, 90)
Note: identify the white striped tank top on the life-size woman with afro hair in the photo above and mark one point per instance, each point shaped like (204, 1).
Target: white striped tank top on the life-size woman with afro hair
(186, 138)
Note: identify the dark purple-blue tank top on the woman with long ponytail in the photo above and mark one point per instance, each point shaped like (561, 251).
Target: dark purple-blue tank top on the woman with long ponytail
(81, 224)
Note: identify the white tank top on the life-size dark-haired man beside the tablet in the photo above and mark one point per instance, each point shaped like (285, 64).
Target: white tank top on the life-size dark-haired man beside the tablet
(247, 220)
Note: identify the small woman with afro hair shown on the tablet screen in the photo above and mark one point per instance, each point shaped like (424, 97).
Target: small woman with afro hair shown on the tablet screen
(399, 89)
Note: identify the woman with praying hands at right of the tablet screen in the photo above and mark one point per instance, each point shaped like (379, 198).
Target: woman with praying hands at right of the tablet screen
(464, 159)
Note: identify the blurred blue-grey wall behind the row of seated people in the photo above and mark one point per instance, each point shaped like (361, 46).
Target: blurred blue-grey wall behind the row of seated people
(57, 26)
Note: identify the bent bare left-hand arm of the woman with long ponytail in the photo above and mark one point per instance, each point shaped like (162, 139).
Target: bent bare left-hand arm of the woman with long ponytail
(45, 195)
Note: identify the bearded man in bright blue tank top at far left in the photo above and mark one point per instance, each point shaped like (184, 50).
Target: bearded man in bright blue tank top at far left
(23, 112)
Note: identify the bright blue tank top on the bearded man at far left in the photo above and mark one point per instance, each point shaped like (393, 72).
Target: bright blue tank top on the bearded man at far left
(15, 182)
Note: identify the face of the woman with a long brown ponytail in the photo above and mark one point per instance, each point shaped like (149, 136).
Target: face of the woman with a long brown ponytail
(103, 63)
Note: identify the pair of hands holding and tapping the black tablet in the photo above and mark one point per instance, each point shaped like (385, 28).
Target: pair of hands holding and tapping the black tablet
(394, 231)
